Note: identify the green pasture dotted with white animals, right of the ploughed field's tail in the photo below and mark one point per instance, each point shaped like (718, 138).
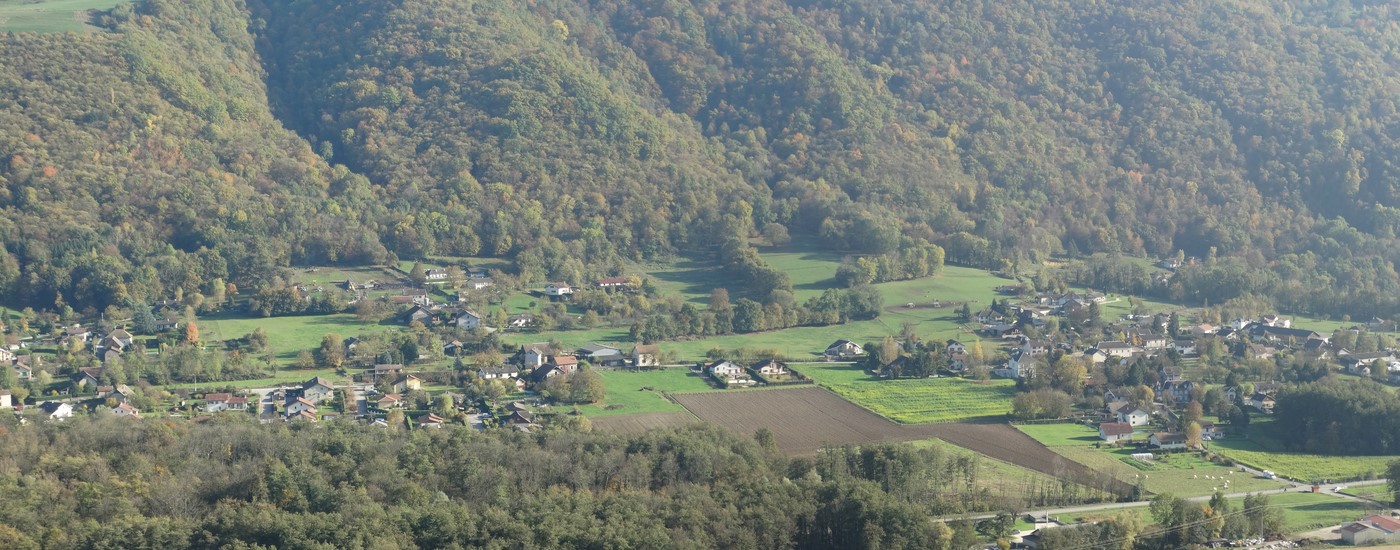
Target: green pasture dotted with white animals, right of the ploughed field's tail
(1184, 475)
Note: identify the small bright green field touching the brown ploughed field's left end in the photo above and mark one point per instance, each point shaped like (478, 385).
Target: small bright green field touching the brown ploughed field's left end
(628, 397)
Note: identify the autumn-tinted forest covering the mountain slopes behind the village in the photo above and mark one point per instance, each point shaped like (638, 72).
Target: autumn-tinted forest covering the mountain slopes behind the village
(156, 155)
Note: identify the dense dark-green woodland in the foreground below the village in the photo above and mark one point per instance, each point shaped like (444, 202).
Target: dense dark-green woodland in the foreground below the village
(229, 484)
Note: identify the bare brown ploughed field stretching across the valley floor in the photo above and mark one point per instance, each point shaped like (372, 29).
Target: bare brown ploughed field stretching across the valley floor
(806, 421)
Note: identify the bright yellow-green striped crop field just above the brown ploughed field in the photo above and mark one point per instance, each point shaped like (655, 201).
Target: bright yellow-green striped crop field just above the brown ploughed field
(915, 401)
